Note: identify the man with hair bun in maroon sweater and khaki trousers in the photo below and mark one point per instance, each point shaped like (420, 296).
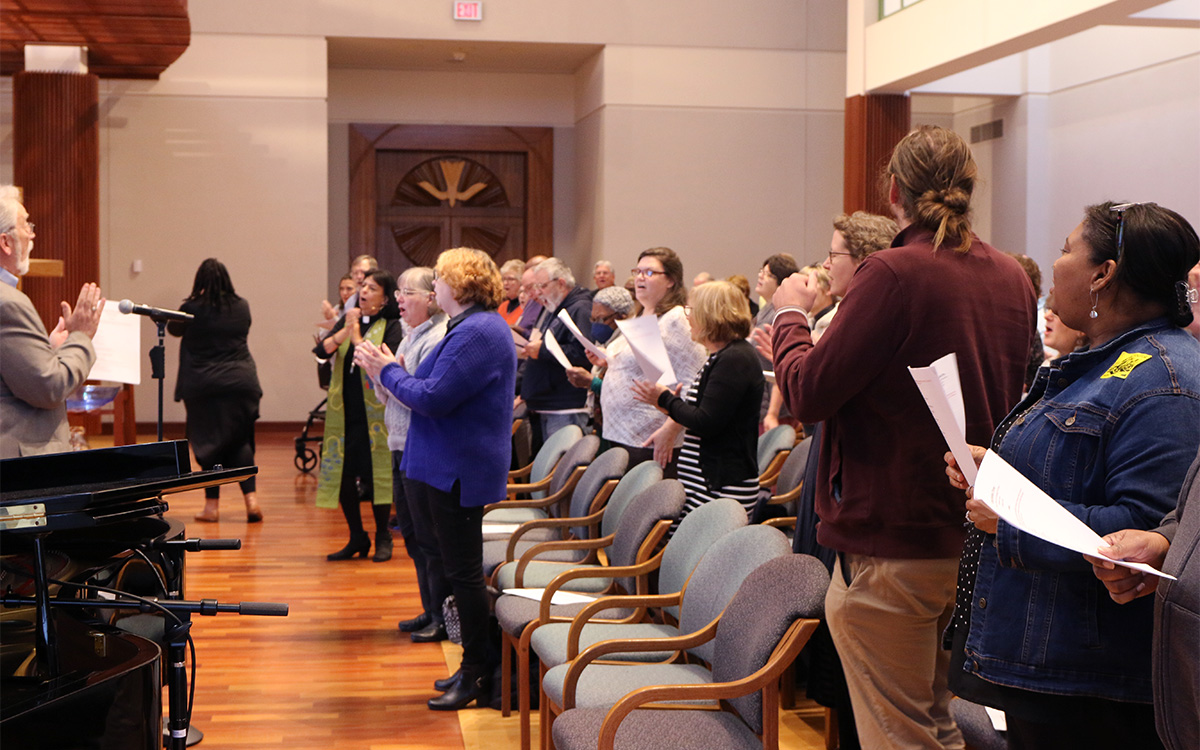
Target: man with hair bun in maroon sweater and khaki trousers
(881, 493)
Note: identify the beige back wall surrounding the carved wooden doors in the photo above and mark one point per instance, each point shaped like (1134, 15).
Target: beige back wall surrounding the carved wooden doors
(713, 127)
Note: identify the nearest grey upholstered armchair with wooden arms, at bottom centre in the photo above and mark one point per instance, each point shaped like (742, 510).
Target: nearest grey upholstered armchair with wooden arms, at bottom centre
(775, 613)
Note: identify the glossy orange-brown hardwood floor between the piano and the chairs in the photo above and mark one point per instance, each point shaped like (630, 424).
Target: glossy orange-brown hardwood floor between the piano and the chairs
(335, 674)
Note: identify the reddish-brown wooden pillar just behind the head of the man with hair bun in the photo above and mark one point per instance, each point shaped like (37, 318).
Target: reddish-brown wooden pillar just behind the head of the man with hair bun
(875, 124)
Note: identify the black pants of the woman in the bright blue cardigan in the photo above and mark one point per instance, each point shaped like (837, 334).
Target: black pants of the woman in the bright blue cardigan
(457, 549)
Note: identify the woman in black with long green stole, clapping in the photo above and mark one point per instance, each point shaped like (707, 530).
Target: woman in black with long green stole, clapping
(356, 463)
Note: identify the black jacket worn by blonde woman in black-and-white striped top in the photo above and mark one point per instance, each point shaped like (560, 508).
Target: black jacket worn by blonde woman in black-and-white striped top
(725, 416)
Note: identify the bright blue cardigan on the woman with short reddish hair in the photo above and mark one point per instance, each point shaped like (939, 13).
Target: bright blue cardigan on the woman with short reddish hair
(461, 398)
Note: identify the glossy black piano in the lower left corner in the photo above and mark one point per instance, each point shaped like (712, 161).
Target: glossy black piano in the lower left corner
(68, 677)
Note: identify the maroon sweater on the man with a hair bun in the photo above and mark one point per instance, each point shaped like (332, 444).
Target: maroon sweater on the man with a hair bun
(881, 481)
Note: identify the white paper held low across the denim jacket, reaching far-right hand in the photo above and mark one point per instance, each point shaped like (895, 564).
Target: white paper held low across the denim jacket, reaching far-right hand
(1025, 506)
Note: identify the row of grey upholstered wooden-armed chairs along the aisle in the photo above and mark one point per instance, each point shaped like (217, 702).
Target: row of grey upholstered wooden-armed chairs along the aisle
(598, 530)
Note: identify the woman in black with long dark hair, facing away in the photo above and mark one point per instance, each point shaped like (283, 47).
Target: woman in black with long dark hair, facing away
(218, 382)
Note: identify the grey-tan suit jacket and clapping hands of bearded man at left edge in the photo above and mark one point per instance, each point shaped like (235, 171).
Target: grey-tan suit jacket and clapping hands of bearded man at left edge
(37, 380)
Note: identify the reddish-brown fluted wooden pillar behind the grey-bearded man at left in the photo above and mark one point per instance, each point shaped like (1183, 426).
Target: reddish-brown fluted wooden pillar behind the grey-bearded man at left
(57, 163)
